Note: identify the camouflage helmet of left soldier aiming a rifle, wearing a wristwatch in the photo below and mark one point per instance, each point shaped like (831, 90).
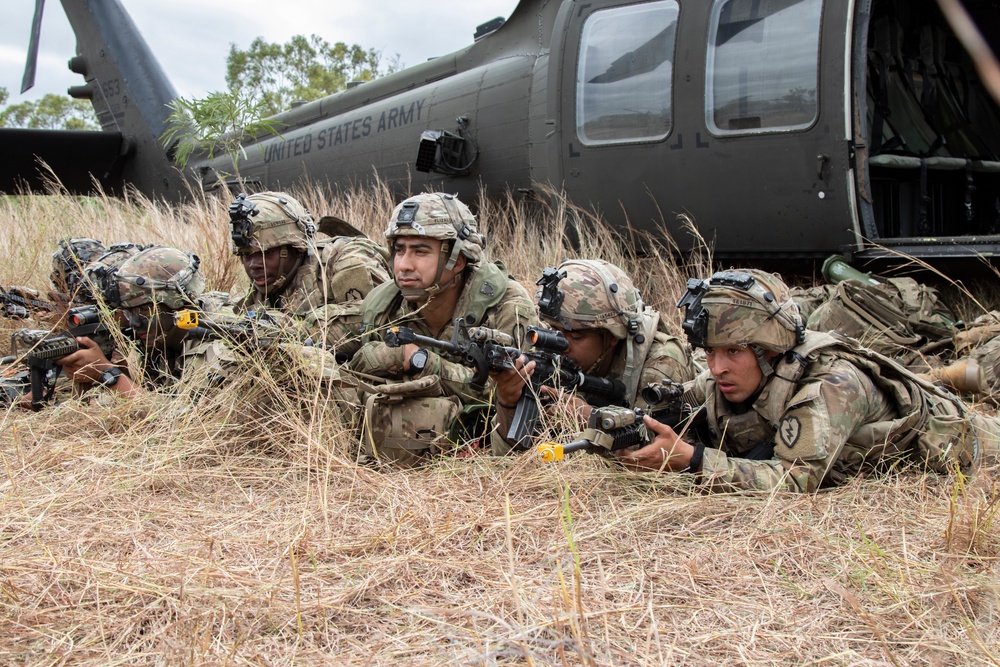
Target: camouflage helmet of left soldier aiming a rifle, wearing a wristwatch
(158, 274)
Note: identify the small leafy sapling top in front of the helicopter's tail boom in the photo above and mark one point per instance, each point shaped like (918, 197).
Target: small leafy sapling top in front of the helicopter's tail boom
(218, 123)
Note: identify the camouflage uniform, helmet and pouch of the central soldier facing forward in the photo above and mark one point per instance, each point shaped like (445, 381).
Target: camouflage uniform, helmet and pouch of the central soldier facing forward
(422, 409)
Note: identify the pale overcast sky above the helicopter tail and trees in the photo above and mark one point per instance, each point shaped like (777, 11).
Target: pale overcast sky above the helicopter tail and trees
(191, 38)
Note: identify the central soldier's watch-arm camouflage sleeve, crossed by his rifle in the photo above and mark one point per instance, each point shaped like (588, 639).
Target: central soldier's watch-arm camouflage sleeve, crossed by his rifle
(513, 315)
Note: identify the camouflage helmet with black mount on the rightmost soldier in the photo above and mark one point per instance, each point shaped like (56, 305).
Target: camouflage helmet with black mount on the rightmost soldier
(749, 307)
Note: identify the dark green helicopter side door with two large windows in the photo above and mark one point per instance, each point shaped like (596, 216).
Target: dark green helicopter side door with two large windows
(713, 109)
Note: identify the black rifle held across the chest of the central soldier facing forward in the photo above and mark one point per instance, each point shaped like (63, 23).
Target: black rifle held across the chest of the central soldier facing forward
(479, 348)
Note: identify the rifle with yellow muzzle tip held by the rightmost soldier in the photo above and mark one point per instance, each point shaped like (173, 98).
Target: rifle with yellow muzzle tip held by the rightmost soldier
(612, 428)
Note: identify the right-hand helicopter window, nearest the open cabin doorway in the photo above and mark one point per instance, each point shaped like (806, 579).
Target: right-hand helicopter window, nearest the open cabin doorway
(763, 66)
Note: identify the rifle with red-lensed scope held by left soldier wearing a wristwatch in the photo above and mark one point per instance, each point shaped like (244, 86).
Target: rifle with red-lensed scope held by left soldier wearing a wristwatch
(40, 349)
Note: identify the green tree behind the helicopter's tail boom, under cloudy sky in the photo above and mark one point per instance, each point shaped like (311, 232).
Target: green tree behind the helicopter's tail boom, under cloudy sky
(302, 69)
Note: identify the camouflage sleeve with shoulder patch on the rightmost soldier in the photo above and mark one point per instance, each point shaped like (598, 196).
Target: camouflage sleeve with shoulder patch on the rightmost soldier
(823, 435)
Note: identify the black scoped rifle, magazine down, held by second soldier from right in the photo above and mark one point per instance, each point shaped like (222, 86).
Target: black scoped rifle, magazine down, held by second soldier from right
(555, 370)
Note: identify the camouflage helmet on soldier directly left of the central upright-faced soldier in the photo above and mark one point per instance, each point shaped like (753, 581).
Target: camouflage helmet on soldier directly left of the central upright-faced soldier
(267, 220)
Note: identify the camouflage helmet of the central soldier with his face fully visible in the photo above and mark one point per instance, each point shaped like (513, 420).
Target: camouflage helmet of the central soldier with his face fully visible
(438, 216)
